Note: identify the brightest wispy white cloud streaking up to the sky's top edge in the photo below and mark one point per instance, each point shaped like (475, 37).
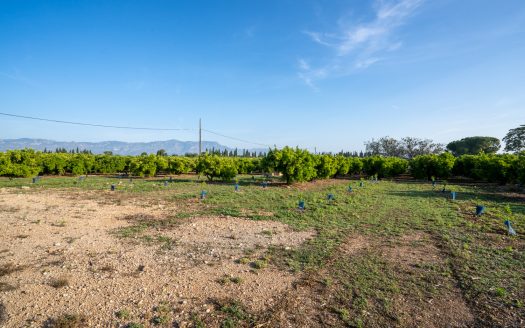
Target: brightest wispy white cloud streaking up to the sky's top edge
(356, 46)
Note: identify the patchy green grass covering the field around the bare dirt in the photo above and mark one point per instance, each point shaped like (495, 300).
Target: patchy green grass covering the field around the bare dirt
(477, 254)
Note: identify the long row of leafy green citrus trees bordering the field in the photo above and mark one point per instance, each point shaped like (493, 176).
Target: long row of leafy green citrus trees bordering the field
(295, 165)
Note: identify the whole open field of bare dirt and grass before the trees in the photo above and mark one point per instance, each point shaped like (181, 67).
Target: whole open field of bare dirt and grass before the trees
(74, 253)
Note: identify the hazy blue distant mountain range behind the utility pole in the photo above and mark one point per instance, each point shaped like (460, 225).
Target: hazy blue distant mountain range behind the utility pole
(172, 147)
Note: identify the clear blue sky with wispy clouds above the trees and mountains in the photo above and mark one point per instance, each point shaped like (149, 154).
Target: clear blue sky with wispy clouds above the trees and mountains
(327, 74)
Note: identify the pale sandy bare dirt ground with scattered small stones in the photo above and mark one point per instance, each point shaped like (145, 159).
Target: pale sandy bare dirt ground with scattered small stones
(59, 255)
